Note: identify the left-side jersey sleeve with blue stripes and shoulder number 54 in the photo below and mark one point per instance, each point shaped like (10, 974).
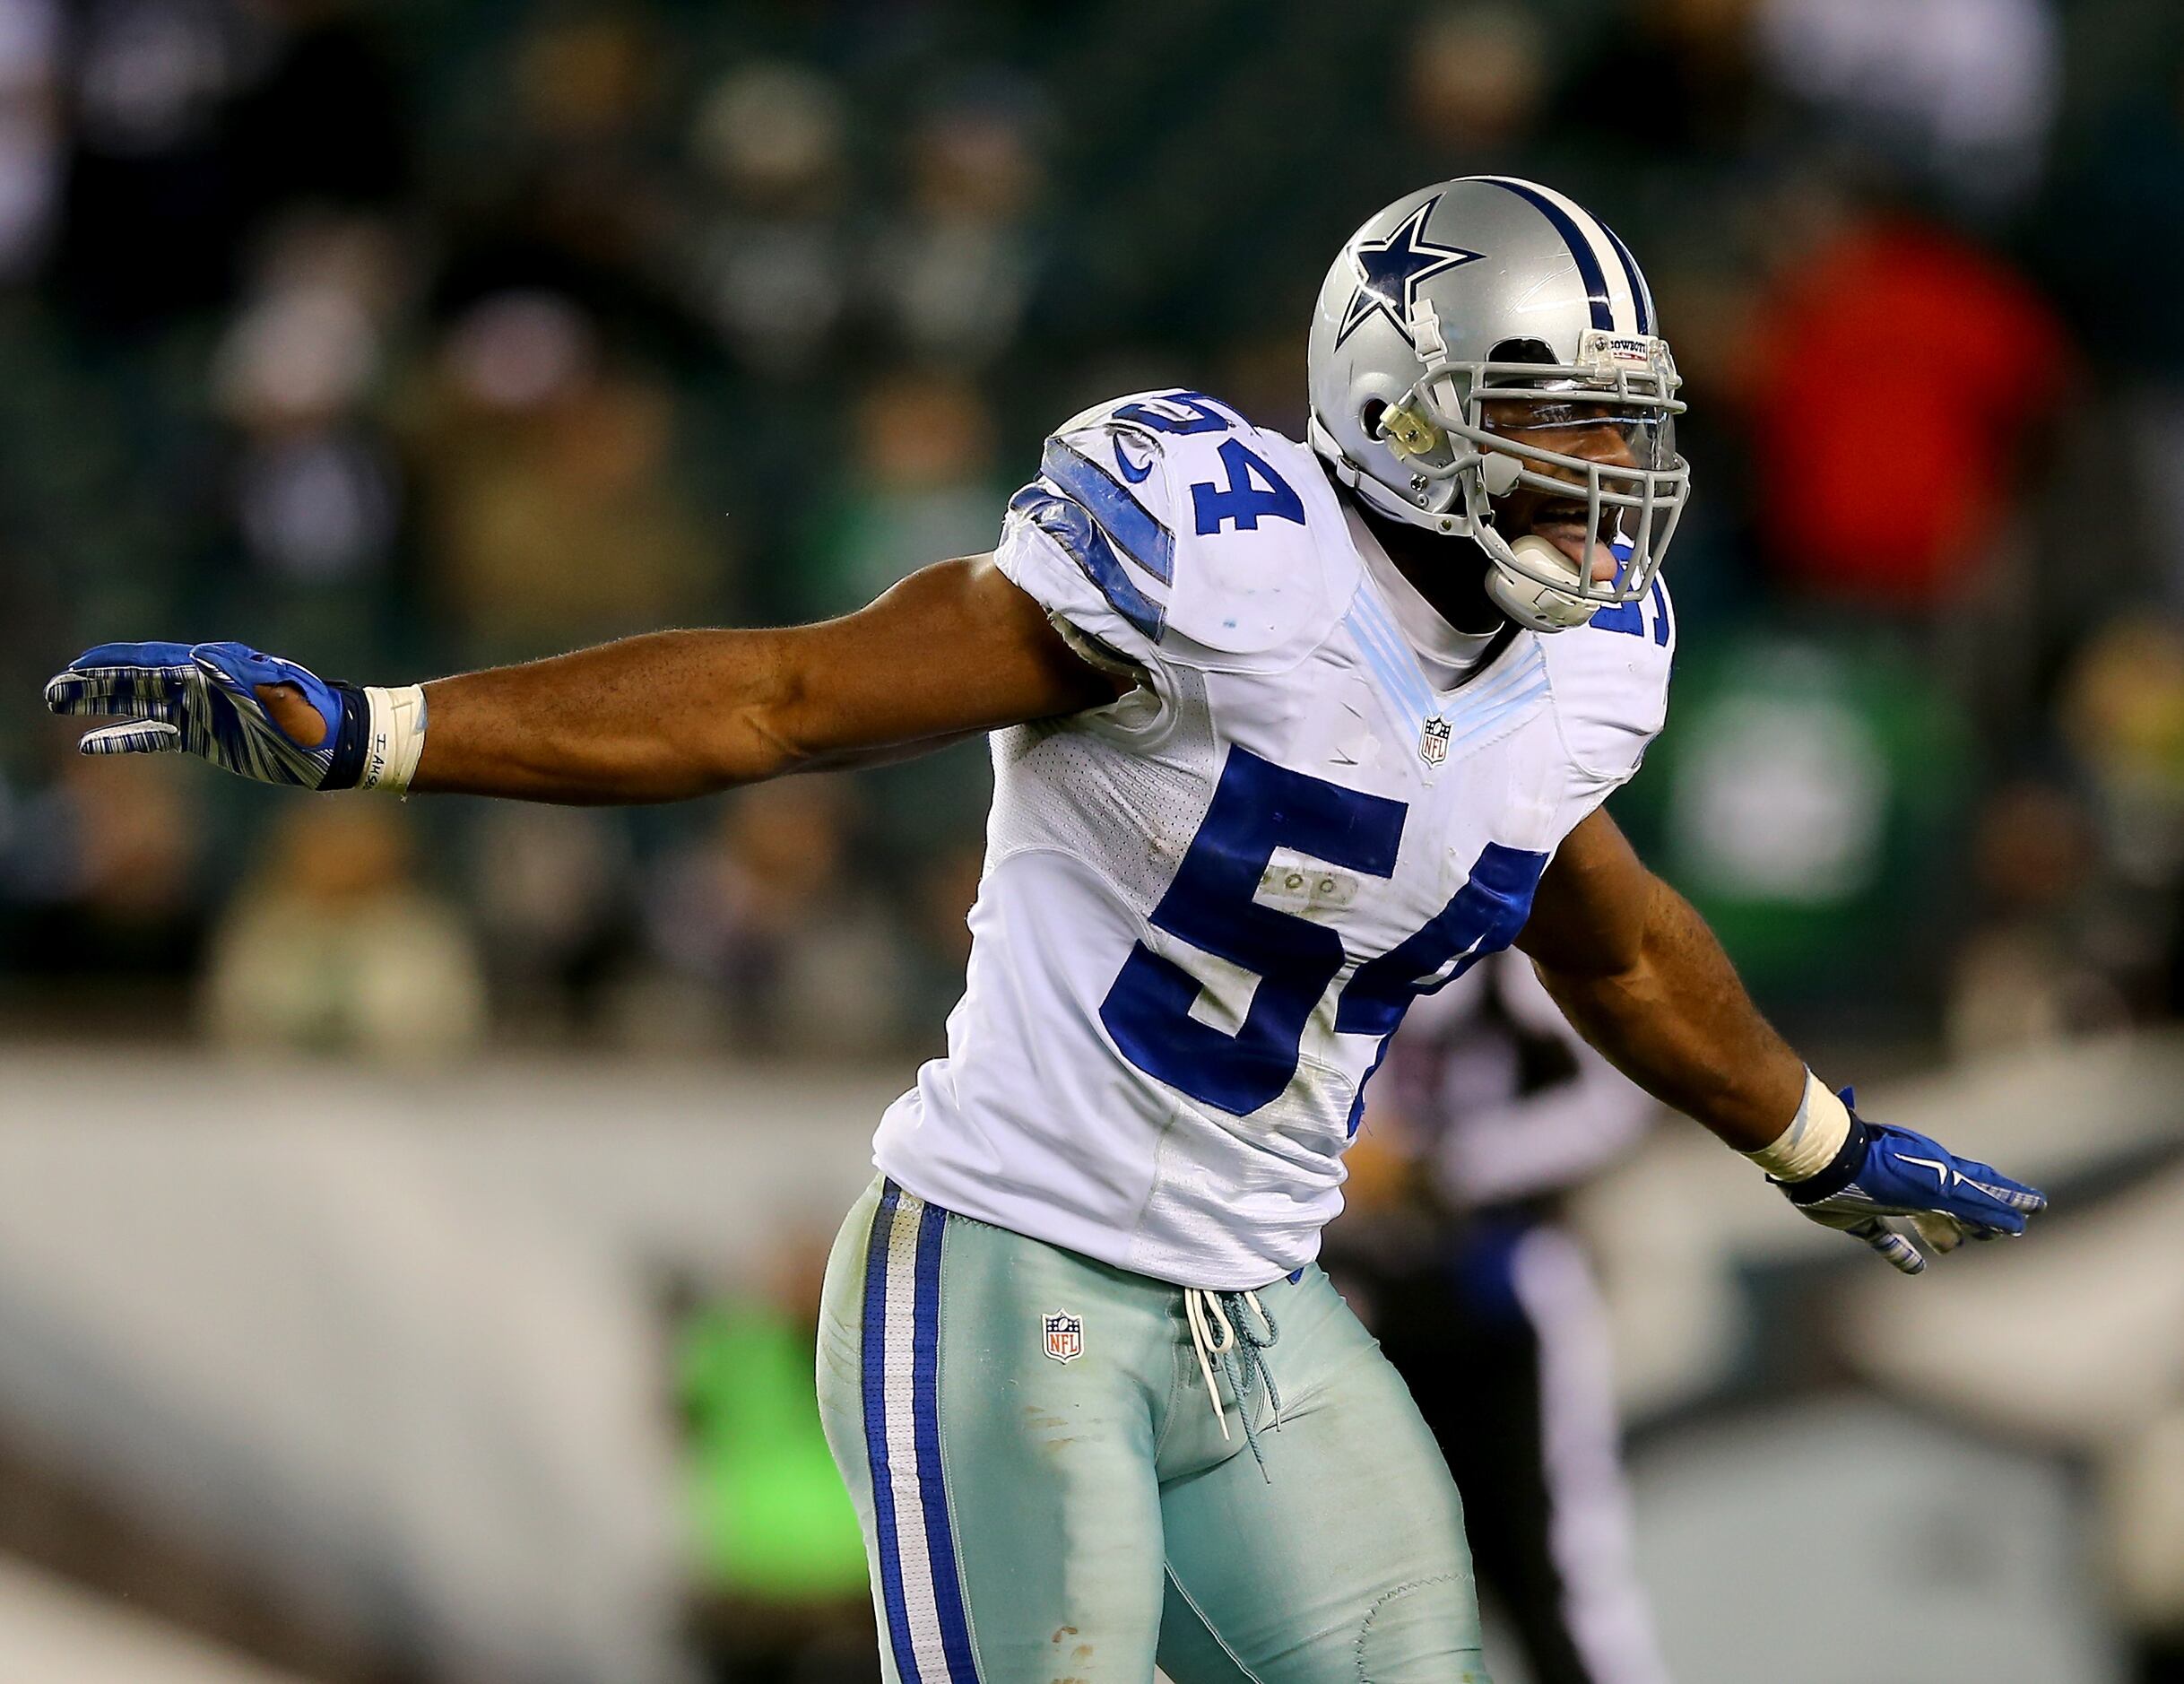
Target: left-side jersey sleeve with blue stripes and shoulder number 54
(1141, 549)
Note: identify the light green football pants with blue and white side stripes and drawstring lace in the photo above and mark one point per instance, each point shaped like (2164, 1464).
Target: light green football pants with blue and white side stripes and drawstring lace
(1049, 1499)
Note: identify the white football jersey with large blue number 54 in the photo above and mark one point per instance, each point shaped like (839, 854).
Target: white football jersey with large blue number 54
(1207, 908)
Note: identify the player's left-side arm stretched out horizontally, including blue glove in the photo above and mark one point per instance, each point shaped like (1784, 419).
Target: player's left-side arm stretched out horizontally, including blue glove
(949, 652)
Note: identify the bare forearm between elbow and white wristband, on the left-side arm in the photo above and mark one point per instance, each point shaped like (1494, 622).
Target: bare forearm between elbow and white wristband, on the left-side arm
(645, 720)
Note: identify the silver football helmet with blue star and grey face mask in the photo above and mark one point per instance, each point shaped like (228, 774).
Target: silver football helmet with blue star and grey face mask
(1488, 337)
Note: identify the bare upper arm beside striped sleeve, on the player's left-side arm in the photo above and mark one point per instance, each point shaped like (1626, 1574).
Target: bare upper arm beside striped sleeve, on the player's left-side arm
(951, 652)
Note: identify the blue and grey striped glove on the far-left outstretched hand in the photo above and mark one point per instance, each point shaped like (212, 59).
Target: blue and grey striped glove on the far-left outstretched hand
(202, 700)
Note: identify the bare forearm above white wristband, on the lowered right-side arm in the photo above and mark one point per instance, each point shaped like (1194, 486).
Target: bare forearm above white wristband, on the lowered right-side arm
(1678, 1023)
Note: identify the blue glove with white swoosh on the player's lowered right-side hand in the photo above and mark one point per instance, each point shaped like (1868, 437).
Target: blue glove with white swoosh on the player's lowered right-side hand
(1886, 1181)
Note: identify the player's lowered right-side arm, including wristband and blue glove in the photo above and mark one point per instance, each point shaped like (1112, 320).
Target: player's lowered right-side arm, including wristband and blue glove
(1643, 980)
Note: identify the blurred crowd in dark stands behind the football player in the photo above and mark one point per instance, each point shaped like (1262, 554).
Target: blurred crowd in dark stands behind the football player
(412, 337)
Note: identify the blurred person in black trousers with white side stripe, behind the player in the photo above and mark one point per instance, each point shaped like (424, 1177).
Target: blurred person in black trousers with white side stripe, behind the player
(1458, 1253)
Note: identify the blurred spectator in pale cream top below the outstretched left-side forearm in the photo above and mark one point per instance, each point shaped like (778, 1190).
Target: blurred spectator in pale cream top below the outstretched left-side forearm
(333, 947)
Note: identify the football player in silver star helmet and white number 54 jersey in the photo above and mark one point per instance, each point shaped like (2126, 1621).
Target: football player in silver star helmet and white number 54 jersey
(1285, 735)
